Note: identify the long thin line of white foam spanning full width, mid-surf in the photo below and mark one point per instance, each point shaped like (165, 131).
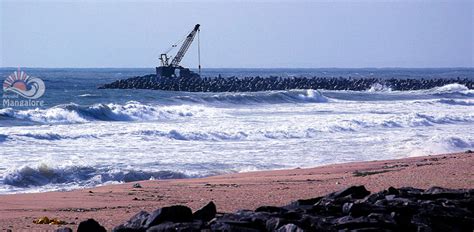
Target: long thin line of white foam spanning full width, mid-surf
(310, 131)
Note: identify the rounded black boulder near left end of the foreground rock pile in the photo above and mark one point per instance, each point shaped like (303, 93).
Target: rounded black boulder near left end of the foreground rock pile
(176, 213)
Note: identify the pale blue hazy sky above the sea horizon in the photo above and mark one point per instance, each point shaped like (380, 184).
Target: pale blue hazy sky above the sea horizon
(238, 34)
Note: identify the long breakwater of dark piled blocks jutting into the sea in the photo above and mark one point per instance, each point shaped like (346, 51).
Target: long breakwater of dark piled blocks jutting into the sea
(252, 84)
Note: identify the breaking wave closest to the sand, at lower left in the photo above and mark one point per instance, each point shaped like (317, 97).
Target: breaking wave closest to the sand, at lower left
(43, 177)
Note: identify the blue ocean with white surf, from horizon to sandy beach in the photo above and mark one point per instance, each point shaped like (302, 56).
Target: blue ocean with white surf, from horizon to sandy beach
(84, 136)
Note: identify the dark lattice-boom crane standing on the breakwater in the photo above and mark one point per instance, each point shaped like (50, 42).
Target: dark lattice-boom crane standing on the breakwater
(173, 69)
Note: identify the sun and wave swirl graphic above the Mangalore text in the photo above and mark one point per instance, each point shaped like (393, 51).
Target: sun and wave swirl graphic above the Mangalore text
(20, 83)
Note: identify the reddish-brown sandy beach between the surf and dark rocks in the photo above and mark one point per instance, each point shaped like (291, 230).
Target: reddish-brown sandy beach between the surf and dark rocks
(114, 204)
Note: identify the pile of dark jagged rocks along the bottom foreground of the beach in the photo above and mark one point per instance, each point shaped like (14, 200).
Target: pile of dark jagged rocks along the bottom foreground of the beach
(354, 209)
